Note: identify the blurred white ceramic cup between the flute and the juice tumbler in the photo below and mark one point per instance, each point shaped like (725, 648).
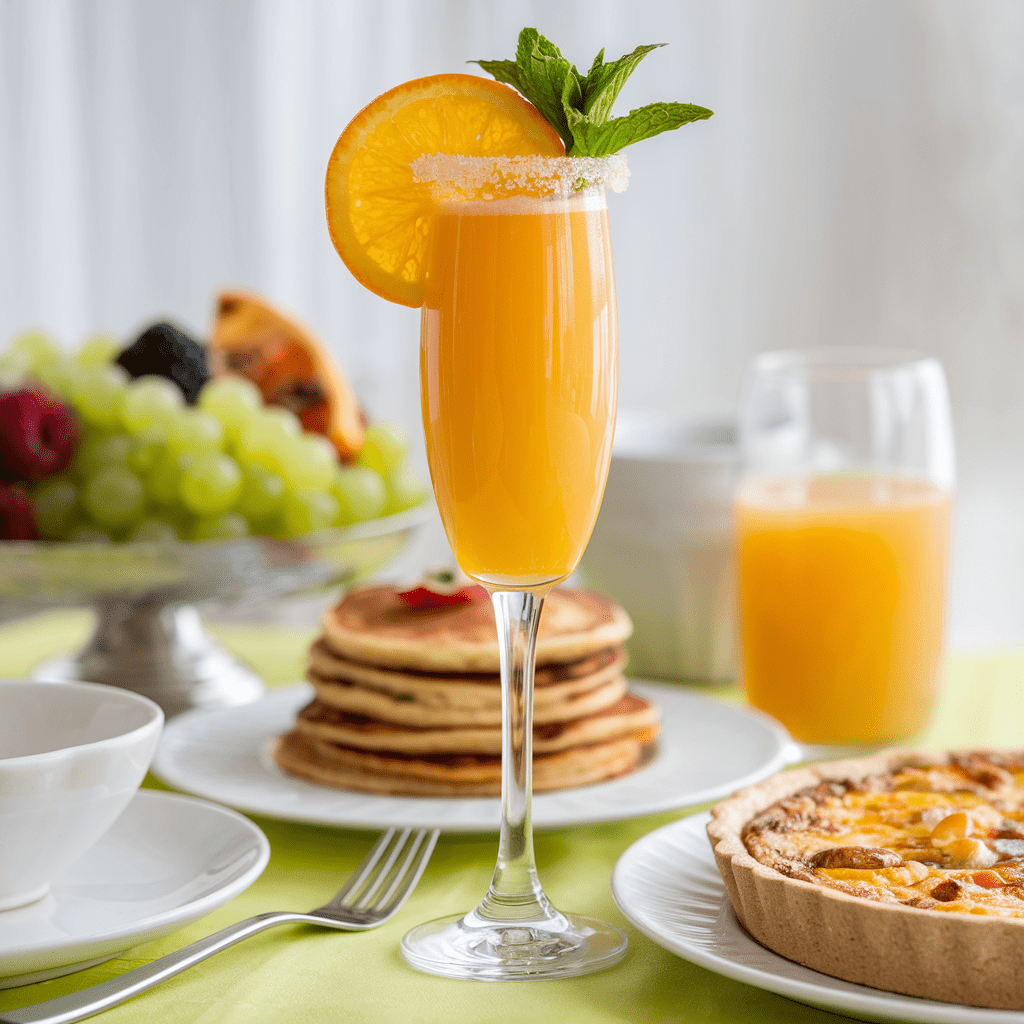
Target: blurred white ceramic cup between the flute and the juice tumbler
(663, 546)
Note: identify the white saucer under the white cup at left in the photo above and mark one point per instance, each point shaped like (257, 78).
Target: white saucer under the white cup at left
(166, 862)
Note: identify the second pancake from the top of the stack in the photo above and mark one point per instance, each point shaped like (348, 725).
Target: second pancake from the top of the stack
(562, 692)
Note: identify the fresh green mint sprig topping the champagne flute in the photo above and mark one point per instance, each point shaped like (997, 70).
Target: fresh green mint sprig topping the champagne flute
(578, 106)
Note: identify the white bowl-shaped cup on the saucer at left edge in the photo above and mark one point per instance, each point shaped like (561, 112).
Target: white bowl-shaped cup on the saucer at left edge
(72, 756)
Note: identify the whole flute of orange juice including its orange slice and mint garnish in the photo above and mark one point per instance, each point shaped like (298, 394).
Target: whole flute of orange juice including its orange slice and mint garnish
(456, 195)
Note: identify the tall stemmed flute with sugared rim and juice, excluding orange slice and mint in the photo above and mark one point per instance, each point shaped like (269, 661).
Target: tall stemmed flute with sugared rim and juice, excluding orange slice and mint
(519, 377)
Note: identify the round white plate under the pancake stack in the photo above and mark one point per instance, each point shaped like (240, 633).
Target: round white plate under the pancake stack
(708, 750)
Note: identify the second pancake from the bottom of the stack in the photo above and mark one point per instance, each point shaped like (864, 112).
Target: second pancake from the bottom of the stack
(631, 715)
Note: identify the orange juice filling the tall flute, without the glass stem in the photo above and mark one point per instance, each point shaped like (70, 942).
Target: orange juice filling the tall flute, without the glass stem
(519, 353)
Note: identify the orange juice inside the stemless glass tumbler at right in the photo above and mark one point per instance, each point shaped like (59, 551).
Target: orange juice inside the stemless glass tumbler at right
(842, 584)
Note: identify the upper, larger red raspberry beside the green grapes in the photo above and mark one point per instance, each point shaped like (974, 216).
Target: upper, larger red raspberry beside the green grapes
(38, 436)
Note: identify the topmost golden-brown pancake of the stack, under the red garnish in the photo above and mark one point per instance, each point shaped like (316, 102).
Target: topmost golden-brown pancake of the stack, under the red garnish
(375, 627)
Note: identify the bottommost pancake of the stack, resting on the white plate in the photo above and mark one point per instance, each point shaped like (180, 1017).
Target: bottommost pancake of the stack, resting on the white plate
(345, 769)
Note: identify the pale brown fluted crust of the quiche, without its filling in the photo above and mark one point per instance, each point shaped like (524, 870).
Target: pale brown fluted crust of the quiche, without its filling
(971, 958)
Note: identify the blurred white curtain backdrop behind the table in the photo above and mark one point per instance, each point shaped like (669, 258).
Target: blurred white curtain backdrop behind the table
(863, 182)
